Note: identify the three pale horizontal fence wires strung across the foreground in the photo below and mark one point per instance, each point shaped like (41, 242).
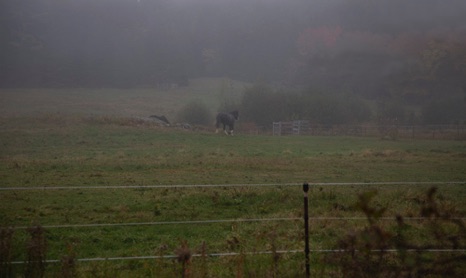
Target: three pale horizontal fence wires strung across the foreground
(213, 221)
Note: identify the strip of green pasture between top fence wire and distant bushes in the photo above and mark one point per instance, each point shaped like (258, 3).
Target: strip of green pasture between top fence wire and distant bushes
(97, 151)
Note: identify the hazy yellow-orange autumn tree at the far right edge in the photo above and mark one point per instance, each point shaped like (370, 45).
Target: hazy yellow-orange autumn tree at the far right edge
(437, 64)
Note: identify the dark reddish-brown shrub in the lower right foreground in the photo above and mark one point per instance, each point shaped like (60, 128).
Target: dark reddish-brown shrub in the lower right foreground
(366, 253)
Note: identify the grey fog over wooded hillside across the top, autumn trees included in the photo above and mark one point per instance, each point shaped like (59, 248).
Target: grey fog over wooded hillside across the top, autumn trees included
(413, 51)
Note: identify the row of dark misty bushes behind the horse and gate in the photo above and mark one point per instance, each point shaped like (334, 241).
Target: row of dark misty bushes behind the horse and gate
(261, 104)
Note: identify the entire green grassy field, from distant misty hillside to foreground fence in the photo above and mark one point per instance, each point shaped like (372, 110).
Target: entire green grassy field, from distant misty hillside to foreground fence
(79, 149)
